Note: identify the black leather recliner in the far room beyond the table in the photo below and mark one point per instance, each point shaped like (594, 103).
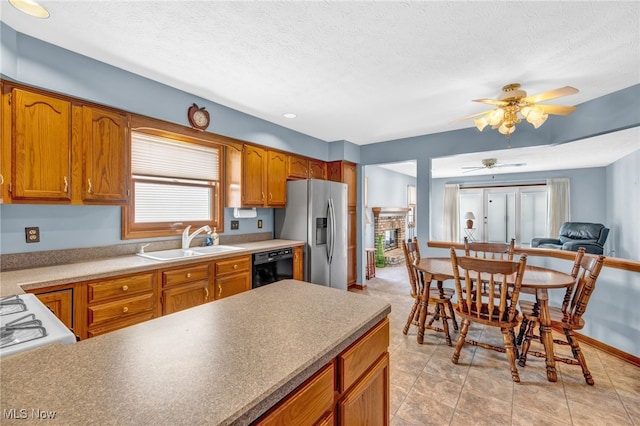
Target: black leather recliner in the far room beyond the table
(574, 235)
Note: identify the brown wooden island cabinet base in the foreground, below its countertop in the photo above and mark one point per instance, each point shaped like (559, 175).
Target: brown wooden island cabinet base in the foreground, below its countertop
(358, 379)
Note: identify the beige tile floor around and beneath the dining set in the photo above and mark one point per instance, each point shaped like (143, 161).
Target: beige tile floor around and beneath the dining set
(428, 389)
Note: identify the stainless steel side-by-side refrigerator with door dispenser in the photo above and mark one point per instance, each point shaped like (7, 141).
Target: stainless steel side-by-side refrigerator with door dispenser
(316, 212)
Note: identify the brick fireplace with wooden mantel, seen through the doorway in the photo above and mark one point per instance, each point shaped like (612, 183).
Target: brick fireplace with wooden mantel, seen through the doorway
(391, 223)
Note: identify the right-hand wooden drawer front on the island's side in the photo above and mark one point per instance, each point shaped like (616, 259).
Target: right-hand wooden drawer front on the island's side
(358, 358)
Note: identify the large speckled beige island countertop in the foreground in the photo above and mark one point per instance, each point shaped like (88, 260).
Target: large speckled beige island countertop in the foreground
(224, 362)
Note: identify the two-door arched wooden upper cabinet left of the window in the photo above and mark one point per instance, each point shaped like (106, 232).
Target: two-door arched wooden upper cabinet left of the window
(61, 151)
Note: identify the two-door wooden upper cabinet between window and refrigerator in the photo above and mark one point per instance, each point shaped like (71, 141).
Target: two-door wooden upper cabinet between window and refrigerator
(255, 177)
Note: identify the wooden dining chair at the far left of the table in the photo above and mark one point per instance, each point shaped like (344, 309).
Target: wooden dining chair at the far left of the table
(439, 297)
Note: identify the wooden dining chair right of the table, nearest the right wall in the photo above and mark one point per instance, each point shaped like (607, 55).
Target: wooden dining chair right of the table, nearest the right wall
(567, 317)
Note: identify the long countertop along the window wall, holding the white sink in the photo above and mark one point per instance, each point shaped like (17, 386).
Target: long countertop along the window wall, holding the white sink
(18, 281)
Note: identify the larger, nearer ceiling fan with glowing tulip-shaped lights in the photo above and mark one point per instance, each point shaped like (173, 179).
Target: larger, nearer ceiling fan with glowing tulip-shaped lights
(513, 105)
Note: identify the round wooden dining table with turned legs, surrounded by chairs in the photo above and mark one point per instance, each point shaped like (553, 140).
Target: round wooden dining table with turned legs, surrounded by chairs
(536, 279)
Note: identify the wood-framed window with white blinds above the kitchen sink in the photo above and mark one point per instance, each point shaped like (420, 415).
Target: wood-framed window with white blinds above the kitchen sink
(175, 183)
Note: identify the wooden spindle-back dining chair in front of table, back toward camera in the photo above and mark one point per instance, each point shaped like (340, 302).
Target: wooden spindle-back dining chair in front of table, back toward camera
(496, 306)
